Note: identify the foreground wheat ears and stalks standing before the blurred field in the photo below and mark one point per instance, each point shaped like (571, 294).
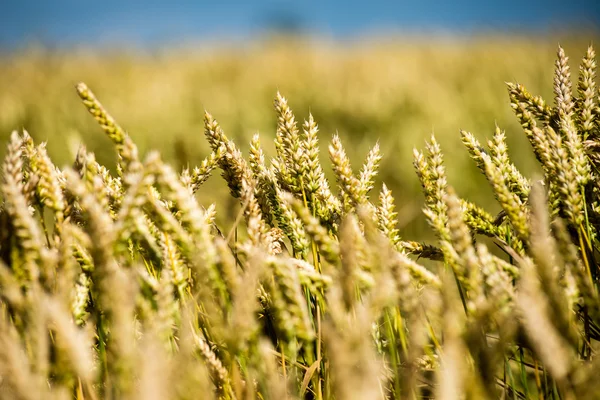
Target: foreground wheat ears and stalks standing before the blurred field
(118, 287)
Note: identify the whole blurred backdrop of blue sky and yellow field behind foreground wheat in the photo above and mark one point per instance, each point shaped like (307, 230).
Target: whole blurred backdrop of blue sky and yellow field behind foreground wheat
(393, 72)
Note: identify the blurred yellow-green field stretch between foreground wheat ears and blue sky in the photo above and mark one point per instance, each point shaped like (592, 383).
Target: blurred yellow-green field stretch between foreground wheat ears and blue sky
(397, 92)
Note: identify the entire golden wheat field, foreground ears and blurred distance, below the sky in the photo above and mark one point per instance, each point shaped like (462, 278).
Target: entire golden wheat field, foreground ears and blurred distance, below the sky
(392, 221)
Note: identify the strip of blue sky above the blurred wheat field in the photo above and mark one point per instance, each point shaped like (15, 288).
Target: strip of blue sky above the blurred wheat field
(154, 23)
